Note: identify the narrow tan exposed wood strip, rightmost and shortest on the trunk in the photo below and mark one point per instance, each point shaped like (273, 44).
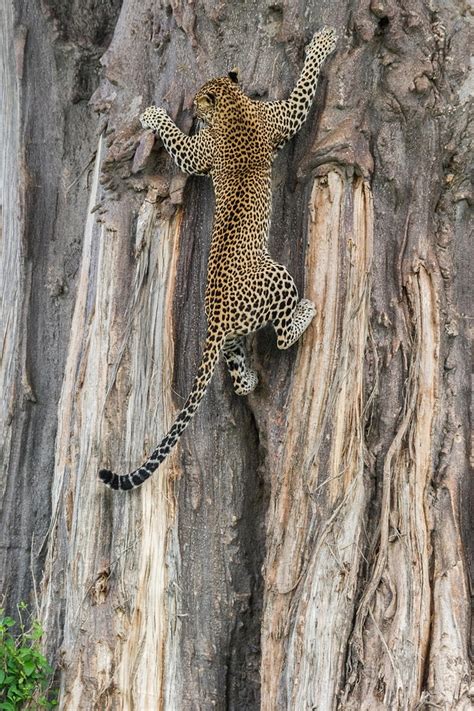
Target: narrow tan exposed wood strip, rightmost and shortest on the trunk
(403, 547)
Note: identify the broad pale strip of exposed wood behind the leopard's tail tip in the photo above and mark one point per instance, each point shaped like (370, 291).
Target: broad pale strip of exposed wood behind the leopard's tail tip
(142, 337)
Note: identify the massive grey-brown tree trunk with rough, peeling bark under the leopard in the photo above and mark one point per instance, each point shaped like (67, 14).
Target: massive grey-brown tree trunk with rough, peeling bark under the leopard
(306, 547)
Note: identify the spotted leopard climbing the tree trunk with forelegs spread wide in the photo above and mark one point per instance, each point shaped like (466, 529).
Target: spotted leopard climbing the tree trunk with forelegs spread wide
(246, 288)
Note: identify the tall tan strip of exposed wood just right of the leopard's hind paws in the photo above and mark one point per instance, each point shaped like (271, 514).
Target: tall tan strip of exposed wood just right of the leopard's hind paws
(313, 562)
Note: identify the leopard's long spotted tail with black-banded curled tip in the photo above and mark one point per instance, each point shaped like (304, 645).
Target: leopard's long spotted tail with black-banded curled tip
(209, 359)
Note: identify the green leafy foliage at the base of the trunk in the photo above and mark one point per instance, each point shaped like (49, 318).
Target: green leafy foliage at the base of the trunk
(25, 675)
